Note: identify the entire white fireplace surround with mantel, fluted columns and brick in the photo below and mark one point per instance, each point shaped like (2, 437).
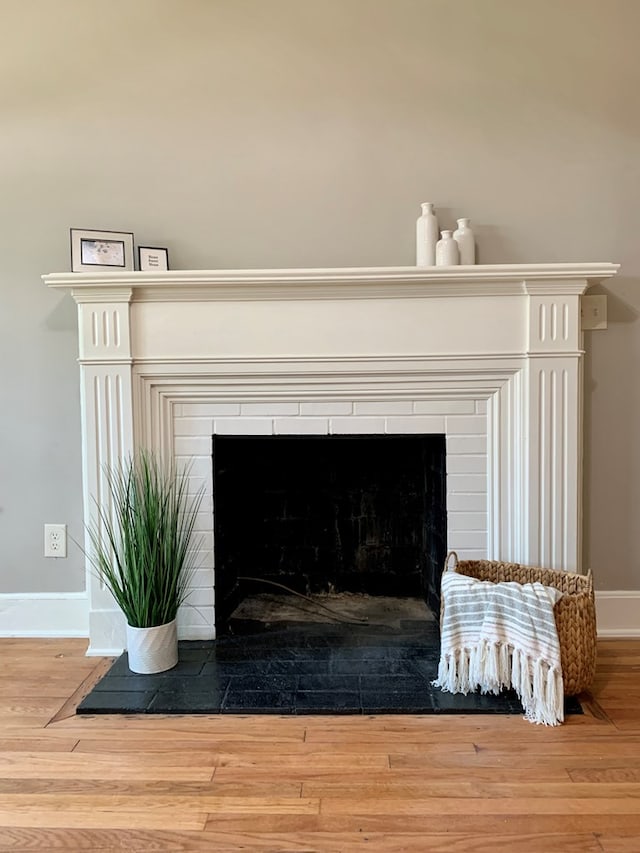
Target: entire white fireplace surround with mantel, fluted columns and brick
(489, 356)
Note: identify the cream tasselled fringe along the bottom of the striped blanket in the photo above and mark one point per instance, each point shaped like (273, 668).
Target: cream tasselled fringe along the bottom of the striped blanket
(491, 667)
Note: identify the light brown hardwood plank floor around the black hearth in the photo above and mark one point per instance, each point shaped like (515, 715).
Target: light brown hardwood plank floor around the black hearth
(469, 784)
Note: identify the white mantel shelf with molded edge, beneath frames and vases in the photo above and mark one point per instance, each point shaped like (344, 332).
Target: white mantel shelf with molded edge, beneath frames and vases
(331, 283)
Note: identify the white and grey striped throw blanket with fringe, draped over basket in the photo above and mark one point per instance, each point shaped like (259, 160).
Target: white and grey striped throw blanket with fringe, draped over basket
(497, 635)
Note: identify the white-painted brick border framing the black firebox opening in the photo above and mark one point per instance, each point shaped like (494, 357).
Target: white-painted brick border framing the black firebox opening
(464, 423)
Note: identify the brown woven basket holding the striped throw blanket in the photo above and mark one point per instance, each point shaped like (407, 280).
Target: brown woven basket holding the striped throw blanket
(575, 612)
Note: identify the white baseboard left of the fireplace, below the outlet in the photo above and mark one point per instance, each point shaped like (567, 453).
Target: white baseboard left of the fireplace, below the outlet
(44, 614)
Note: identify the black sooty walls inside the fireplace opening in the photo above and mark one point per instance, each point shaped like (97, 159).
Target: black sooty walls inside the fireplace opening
(353, 513)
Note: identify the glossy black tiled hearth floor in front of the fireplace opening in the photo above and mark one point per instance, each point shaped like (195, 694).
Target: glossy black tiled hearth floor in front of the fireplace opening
(306, 668)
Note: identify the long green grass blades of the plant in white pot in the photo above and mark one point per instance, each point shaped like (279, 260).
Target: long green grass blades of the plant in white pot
(141, 545)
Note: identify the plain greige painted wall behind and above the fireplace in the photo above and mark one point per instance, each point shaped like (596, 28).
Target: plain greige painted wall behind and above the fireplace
(276, 133)
